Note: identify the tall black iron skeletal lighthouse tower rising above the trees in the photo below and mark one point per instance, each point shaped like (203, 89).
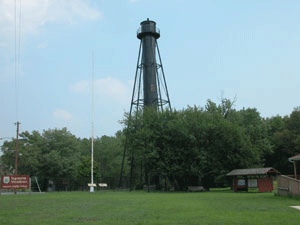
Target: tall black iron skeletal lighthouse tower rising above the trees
(150, 73)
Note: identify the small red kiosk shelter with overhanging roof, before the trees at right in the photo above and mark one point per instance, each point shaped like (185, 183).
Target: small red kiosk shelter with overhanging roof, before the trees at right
(260, 178)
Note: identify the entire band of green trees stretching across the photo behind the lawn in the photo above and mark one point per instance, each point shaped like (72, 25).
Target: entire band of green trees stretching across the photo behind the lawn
(192, 146)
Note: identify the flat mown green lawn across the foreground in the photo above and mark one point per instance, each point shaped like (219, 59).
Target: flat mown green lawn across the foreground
(109, 207)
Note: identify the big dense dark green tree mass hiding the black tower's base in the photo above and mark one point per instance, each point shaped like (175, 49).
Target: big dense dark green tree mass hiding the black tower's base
(188, 144)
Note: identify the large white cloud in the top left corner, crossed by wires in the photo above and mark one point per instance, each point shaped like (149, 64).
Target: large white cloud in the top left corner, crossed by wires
(36, 13)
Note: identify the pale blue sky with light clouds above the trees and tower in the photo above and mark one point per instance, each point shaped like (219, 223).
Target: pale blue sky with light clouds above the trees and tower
(248, 50)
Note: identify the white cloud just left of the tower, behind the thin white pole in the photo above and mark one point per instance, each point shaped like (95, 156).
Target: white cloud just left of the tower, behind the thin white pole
(106, 87)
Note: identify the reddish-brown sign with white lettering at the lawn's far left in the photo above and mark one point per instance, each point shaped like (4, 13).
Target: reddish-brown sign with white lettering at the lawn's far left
(15, 182)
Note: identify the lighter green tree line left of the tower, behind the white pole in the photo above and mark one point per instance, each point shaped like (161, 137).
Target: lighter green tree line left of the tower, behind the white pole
(57, 154)
